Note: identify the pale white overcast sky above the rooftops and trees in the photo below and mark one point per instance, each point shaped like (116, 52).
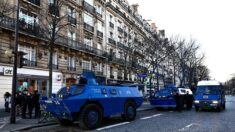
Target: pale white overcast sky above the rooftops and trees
(210, 22)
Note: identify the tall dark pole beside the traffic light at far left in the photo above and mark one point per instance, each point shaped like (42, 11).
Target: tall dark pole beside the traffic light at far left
(14, 78)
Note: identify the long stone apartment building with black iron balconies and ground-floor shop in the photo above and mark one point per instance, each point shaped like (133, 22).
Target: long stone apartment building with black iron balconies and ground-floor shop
(101, 36)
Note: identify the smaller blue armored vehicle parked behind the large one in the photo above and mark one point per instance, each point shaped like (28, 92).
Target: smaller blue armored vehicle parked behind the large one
(164, 98)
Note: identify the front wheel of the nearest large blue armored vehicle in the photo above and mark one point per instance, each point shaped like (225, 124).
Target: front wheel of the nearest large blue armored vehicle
(90, 117)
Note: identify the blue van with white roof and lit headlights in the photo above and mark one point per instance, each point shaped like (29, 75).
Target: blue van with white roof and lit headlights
(209, 95)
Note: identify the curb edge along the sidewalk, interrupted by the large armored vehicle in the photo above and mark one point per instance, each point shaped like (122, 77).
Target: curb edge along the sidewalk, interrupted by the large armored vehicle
(54, 123)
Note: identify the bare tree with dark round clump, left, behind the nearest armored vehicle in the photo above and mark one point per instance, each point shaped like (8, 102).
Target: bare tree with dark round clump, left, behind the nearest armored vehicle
(53, 18)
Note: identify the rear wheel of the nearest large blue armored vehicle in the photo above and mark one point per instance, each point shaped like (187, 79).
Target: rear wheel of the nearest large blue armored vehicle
(130, 111)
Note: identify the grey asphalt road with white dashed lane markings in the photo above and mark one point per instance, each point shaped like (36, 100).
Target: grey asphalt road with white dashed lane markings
(166, 121)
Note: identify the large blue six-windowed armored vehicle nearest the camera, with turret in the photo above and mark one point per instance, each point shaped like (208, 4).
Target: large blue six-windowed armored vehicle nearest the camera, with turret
(88, 102)
